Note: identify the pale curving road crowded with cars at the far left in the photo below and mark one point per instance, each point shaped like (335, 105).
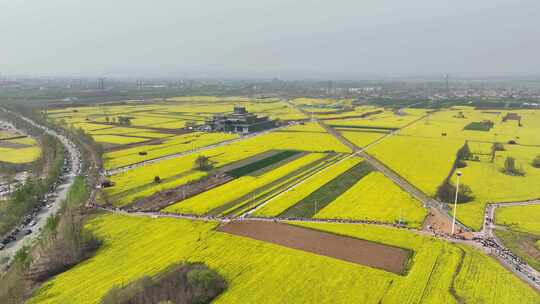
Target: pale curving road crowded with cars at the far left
(48, 205)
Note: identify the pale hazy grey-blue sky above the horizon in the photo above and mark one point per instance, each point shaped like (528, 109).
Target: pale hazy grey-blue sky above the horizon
(296, 38)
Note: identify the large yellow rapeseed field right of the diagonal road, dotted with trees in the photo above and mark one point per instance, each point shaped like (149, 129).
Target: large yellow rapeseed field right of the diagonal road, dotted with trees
(425, 151)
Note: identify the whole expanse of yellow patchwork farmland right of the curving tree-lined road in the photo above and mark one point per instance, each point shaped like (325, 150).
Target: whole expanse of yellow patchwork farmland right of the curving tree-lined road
(349, 202)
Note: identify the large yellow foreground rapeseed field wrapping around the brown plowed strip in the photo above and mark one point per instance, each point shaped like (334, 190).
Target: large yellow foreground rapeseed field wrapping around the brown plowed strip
(135, 246)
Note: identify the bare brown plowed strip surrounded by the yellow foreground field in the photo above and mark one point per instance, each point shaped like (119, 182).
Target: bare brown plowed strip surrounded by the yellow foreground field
(349, 249)
